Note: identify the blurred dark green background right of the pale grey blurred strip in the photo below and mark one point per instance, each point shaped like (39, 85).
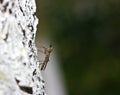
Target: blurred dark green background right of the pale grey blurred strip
(86, 34)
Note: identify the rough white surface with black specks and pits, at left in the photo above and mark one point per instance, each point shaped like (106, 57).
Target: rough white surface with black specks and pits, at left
(19, 73)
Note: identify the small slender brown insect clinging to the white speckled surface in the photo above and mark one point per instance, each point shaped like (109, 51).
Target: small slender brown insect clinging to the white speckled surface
(47, 52)
